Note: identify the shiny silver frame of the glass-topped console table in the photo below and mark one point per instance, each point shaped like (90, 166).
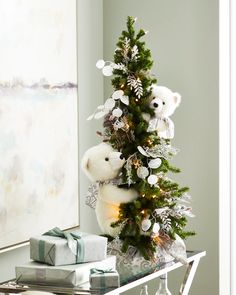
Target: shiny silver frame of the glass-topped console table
(162, 270)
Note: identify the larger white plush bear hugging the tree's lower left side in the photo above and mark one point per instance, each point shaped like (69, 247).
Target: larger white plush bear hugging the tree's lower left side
(102, 164)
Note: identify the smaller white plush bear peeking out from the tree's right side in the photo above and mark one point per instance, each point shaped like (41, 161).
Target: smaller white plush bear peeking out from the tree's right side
(164, 102)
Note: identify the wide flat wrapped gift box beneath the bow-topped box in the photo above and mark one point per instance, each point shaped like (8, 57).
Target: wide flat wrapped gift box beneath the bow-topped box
(66, 275)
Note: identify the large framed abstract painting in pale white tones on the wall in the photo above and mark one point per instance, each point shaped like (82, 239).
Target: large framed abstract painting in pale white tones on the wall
(38, 118)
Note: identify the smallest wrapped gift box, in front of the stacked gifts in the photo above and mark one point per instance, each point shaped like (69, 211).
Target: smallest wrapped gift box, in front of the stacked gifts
(104, 278)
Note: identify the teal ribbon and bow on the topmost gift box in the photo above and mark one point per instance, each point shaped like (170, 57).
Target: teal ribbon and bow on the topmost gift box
(75, 243)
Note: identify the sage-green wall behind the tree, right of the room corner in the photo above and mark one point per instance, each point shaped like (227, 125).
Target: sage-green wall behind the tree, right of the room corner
(183, 39)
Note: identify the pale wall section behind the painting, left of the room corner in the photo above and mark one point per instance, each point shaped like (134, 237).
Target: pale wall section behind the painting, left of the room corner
(90, 47)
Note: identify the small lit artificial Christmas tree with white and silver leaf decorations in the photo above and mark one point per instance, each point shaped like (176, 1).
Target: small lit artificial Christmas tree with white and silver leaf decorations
(156, 217)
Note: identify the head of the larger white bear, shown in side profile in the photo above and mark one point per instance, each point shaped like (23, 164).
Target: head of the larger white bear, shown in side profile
(102, 162)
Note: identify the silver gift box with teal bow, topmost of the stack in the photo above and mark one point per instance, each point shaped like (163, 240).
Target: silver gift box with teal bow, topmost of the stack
(57, 247)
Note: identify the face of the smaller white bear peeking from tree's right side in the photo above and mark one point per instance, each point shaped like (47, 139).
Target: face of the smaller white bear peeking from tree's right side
(164, 101)
